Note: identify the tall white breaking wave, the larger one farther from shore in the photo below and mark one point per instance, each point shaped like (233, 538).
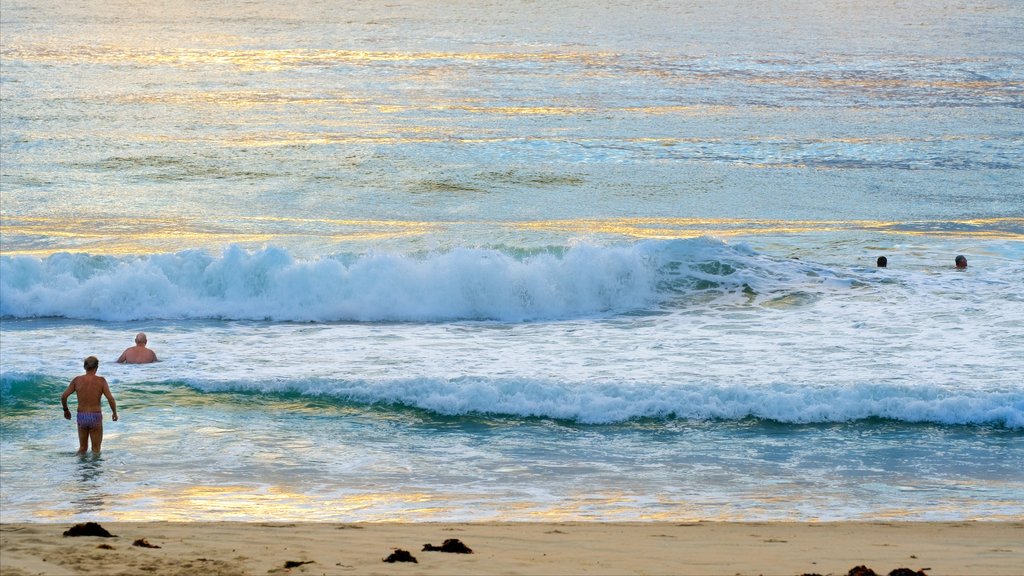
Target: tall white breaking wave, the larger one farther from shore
(464, 283)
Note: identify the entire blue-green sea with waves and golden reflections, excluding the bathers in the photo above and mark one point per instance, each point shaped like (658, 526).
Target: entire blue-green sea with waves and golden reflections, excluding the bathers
(516, 261)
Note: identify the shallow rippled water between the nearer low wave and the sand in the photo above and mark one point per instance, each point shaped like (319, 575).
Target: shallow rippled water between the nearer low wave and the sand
(290, 458)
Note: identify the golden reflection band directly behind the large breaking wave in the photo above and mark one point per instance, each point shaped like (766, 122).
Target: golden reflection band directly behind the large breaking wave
(44, 236)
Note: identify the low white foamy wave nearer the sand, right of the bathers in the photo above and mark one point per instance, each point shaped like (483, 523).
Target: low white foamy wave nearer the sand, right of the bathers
(609, 403)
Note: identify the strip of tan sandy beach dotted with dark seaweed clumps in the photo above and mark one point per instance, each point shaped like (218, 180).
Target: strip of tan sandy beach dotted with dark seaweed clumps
(697, 549)
